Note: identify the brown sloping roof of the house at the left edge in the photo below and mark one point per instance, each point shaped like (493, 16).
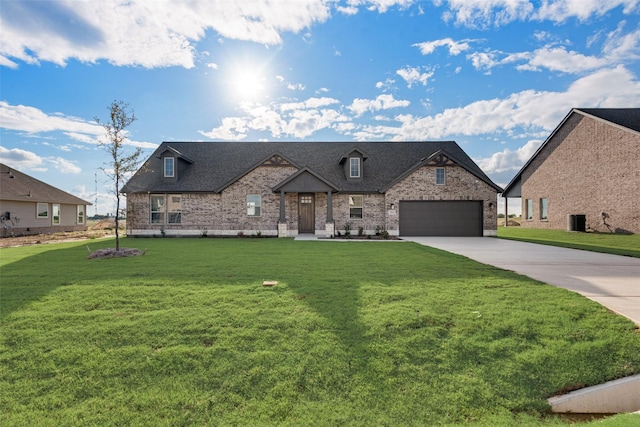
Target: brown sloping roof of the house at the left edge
(17, 186)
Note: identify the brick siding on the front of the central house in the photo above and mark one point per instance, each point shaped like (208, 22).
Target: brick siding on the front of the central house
(225, 213)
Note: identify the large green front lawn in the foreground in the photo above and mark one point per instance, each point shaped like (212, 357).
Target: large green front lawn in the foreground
(356, 334)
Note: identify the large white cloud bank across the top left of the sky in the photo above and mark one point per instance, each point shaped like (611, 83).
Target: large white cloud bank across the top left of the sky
(148, 34)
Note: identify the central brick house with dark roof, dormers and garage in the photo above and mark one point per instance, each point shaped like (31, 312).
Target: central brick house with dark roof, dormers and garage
(287, 188)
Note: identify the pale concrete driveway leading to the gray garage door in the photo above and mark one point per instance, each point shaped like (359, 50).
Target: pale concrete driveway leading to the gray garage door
(611, 280)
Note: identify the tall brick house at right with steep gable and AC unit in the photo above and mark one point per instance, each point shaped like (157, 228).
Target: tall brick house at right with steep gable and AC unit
(586, 175)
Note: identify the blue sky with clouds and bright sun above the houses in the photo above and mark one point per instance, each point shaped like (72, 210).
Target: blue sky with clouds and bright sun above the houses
(497, 76)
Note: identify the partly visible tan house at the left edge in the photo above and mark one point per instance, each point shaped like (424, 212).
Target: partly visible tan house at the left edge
(30, 206)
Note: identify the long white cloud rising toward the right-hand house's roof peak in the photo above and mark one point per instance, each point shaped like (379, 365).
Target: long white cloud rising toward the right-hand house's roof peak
(529, 110)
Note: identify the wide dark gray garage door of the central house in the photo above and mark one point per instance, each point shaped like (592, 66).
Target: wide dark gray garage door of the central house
(441, 218)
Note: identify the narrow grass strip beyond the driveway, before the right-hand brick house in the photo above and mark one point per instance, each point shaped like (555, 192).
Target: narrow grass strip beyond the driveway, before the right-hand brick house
(616, 244)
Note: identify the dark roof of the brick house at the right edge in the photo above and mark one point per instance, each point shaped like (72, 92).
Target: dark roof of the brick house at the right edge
(625, 118)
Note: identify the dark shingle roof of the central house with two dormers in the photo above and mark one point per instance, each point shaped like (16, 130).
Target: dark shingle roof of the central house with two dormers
(219, 164)
